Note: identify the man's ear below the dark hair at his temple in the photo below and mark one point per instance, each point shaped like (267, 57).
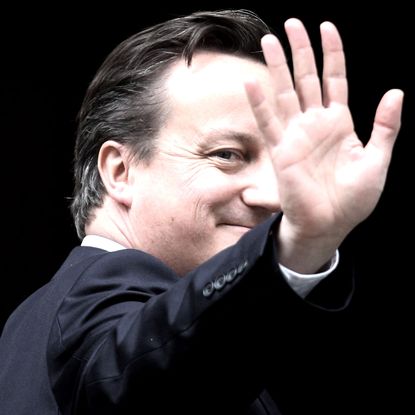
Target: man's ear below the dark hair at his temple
(114, 164)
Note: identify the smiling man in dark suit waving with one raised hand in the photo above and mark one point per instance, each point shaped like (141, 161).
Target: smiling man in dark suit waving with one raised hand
(212, 194)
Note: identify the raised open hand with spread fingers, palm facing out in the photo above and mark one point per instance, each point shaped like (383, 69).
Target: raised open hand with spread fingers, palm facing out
(328, 181)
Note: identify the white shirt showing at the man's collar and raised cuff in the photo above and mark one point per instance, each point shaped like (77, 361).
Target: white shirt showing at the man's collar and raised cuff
(302, 284)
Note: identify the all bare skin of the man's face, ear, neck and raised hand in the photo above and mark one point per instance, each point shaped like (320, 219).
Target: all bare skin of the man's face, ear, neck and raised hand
(243, 141)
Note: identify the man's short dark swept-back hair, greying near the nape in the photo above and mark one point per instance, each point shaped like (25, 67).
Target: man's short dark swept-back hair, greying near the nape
(124, 101)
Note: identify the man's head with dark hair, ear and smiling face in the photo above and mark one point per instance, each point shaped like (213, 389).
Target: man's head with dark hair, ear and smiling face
(168, 155)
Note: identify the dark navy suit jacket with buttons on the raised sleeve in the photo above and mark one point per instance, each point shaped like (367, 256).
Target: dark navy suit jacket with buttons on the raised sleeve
(120, 333)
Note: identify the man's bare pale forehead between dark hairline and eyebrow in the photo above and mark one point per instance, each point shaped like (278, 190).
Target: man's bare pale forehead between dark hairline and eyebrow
(210, 95)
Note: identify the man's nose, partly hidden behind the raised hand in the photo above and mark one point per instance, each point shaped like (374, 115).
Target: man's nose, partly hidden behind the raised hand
(261, 190)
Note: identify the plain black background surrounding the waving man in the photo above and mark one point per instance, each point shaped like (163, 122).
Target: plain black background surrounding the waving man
(48, 58)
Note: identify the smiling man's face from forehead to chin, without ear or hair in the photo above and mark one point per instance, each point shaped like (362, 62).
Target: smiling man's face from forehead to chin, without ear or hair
(211, 179)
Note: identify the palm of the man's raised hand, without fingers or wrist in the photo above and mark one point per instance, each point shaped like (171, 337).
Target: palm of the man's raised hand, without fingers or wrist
(321, 171)
